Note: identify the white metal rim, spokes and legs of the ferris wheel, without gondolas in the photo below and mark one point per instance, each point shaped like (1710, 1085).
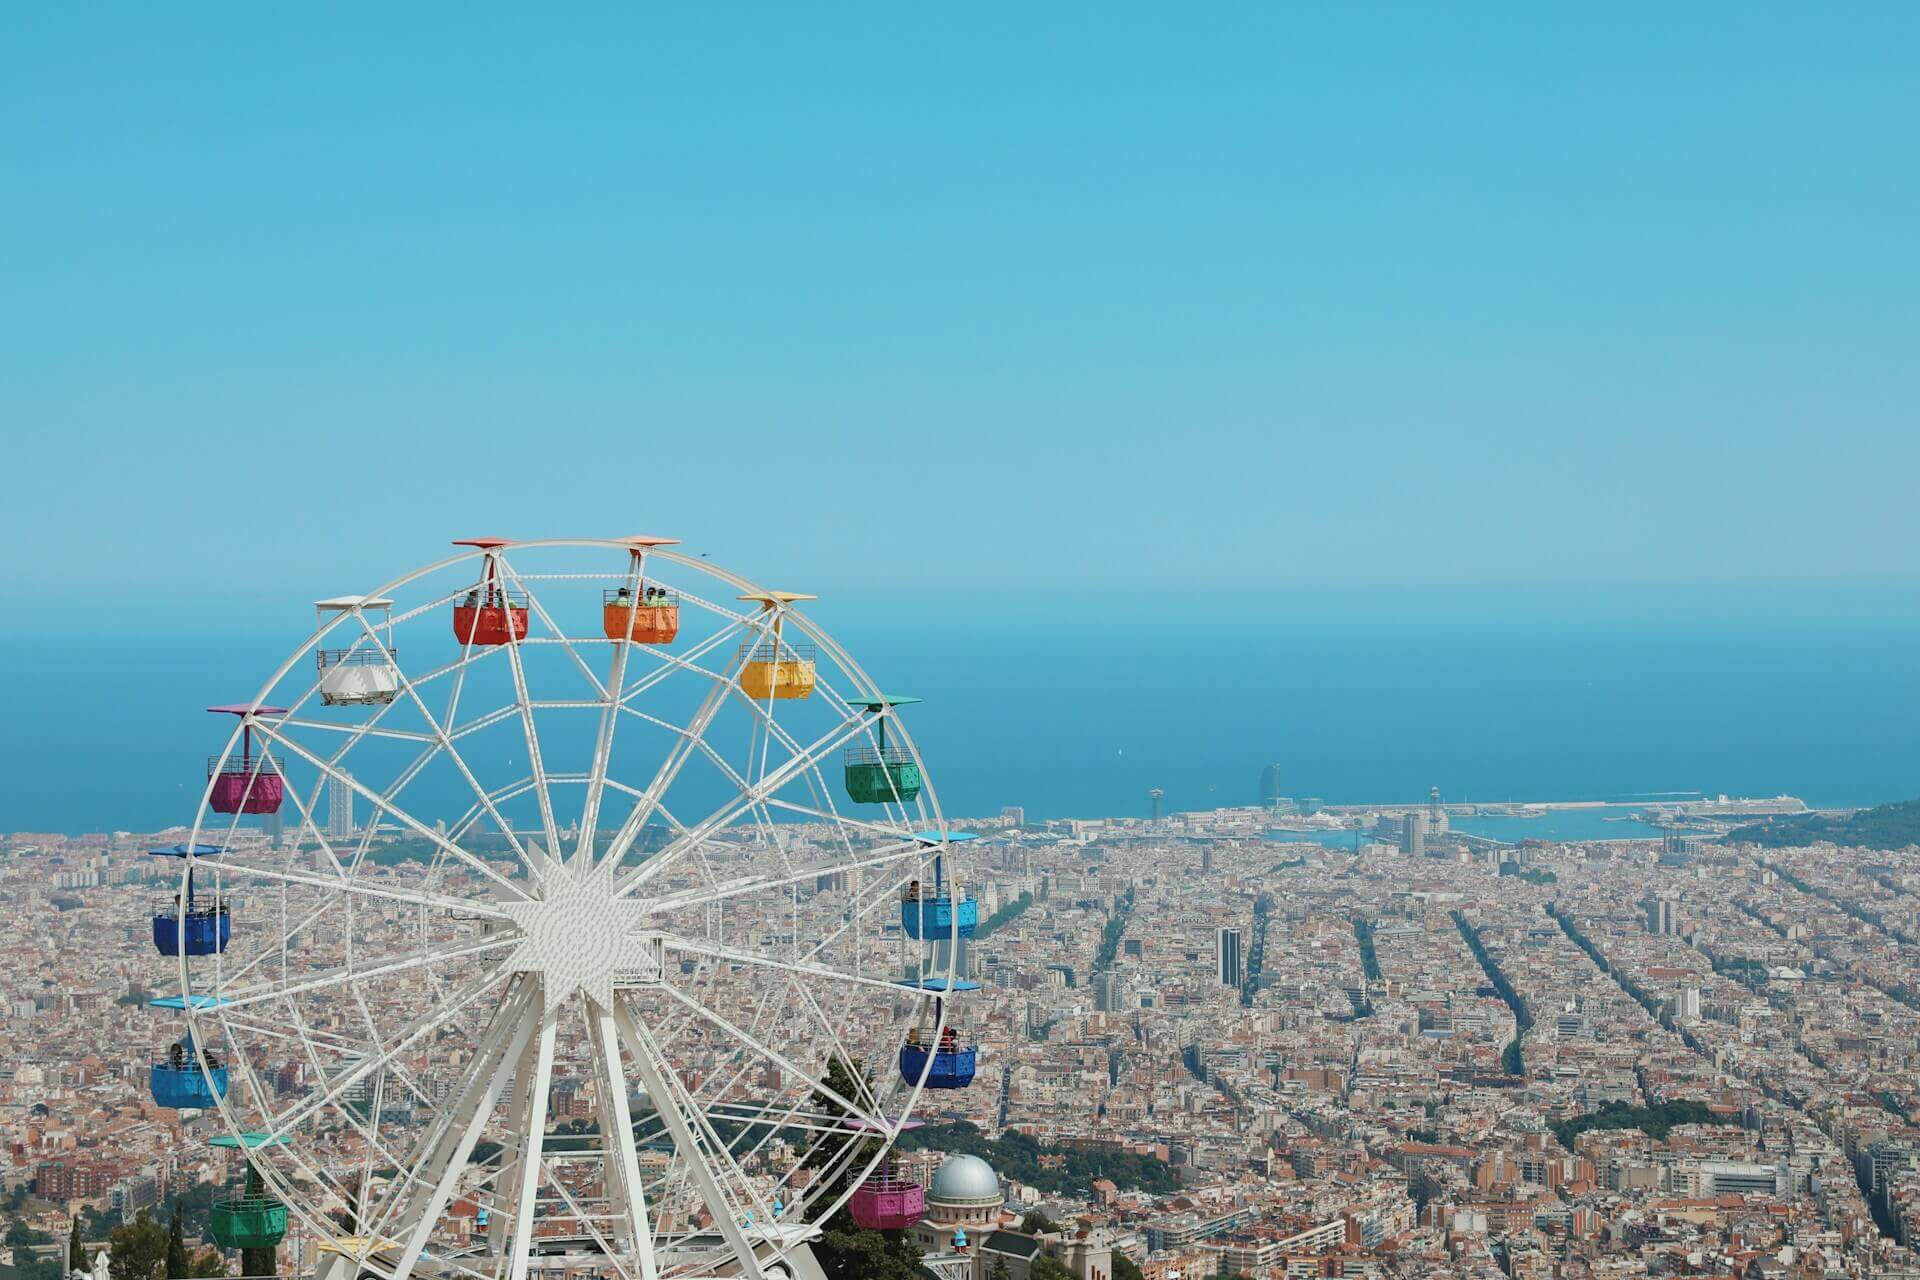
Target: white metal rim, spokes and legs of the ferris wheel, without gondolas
(754, 1233)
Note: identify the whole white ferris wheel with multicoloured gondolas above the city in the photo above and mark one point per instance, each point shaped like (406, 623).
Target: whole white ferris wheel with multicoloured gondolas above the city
(565, 907)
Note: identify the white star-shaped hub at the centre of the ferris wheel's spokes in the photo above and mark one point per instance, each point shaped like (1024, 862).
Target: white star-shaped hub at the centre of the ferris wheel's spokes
(577, 936)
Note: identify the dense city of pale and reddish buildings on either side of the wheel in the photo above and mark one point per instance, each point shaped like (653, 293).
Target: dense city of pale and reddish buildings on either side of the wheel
(1253, 1041)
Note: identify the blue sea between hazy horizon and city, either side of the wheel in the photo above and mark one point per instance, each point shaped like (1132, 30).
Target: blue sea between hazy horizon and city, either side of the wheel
(1082, 715)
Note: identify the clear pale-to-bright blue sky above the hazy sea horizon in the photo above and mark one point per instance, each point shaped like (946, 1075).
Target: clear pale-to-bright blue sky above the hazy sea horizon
(1040, 296)
